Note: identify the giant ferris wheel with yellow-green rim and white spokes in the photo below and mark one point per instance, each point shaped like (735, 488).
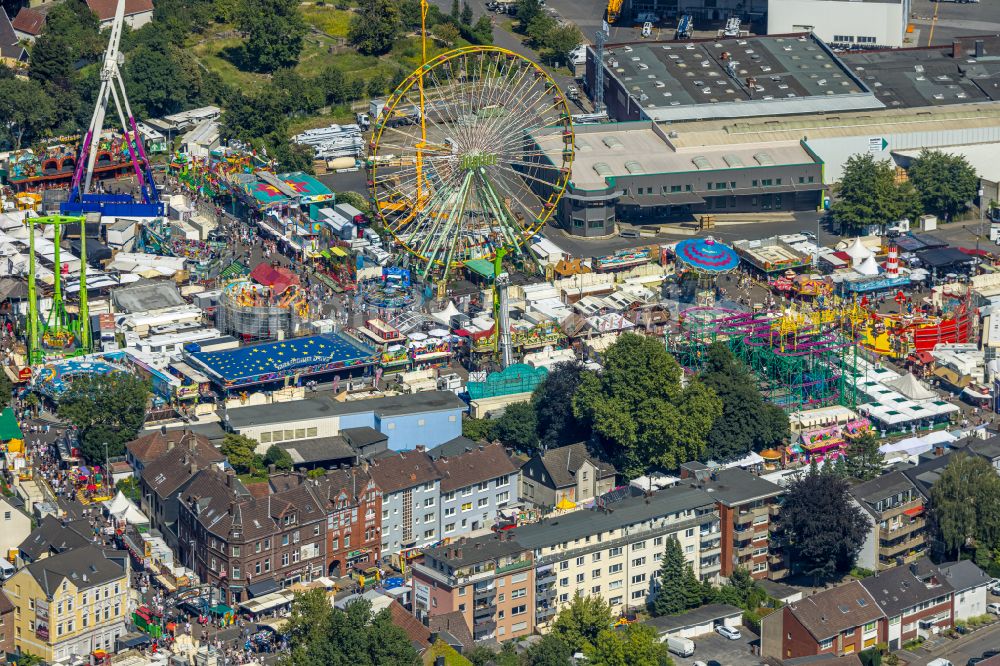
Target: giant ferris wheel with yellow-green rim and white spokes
(471, 153)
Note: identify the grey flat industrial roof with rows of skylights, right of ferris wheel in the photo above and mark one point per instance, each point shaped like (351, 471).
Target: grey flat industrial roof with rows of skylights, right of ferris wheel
(662, 76)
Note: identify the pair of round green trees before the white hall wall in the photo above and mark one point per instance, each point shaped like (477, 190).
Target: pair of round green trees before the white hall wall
(869, 194)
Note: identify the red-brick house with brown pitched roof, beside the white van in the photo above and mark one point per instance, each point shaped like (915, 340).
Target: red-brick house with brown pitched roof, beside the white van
(837, 621)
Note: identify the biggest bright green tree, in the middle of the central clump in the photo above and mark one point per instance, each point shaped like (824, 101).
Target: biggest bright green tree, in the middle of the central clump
(639, 411)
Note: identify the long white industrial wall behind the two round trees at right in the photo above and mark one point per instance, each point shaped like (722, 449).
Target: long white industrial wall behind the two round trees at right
(835, 151)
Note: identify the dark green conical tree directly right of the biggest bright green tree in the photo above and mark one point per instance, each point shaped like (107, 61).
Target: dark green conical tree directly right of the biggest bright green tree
(748, 422)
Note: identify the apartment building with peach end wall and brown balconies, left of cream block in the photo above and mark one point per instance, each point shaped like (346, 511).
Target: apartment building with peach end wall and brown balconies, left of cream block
(490, 580)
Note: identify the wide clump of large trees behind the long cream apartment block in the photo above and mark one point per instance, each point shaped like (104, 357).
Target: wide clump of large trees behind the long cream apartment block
(639, 413)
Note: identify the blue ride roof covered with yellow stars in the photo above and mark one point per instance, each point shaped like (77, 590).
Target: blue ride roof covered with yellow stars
(255, 362)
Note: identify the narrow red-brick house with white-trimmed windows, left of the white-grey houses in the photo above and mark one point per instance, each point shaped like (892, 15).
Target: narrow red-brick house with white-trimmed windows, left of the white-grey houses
(353, 505)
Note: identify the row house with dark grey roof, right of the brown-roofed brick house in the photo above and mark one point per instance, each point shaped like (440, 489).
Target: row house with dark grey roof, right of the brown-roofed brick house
(916, 599)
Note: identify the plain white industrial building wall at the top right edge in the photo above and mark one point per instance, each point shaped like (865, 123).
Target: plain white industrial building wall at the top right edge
(885, 21)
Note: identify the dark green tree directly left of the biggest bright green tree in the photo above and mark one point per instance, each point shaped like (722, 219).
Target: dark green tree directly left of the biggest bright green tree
(553, 402)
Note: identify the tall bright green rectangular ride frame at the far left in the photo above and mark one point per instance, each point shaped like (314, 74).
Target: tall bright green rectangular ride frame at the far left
(57, 334)
